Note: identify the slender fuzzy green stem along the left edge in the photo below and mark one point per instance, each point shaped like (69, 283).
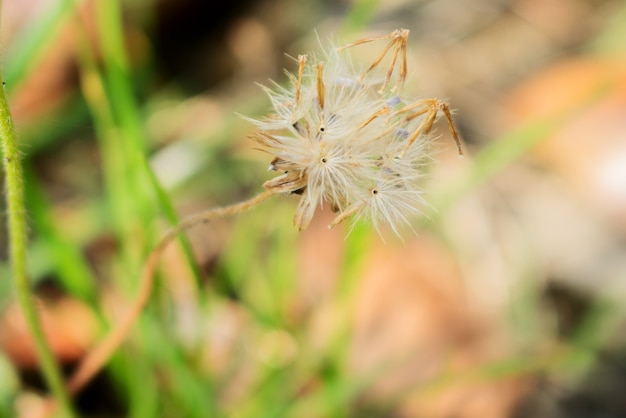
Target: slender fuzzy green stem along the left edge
(17, 231)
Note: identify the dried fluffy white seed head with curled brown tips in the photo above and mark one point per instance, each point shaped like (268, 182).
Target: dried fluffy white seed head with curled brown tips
(349, 138)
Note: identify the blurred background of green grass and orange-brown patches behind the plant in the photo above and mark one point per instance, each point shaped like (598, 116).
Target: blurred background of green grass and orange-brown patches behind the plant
(508, 302)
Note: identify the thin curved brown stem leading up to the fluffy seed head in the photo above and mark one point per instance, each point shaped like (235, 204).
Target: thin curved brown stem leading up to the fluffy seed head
(98, 357)
